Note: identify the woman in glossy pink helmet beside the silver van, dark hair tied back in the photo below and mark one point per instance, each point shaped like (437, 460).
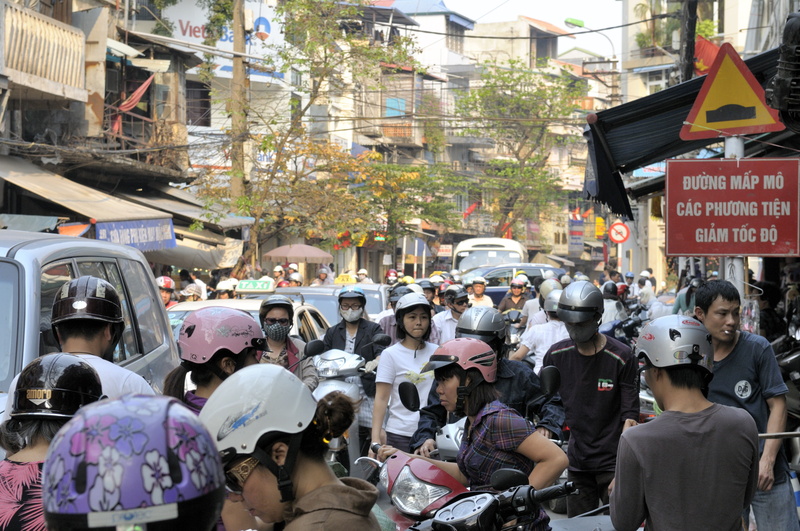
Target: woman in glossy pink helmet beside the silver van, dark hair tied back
(214, 343)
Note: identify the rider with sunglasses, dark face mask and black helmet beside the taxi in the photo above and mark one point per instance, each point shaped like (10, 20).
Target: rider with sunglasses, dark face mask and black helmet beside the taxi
(276, 314)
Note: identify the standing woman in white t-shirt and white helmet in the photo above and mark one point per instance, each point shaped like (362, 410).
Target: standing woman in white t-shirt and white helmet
(403, 362)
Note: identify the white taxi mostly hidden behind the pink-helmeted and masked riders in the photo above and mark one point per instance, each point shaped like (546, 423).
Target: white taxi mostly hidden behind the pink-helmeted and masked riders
(309, 323)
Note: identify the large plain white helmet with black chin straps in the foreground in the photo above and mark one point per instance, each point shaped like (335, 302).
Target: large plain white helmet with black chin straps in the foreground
(277, 403)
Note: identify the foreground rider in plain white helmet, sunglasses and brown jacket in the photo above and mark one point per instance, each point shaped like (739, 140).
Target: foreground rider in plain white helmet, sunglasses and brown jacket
(282, 432)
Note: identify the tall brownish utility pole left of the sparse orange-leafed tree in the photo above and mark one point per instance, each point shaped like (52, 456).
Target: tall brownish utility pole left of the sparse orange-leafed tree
(238, 106)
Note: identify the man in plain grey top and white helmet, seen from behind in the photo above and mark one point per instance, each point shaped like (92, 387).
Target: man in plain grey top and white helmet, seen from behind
(711, 447)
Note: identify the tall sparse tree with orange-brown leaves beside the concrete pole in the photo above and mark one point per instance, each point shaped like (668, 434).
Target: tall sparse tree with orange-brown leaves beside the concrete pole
(300, 185)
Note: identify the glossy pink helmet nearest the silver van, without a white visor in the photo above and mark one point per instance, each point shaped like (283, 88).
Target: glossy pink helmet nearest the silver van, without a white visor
(208, 330)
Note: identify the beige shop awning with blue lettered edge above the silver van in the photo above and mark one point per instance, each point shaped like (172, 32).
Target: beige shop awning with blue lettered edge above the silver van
(115, 219)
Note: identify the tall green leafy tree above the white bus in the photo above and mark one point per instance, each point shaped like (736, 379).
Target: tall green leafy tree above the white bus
(525, 113)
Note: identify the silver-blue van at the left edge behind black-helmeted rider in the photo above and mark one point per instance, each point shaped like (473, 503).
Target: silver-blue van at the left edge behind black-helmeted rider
(33, 266)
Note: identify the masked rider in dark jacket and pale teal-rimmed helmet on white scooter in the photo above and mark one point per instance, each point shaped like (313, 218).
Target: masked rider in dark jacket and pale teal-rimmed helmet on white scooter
(354, 334)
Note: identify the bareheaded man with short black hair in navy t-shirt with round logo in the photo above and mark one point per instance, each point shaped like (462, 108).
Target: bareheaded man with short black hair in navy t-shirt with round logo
(747, 376)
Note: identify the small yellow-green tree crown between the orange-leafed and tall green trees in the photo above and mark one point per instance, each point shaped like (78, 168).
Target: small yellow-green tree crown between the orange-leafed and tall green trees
(400, 193)
